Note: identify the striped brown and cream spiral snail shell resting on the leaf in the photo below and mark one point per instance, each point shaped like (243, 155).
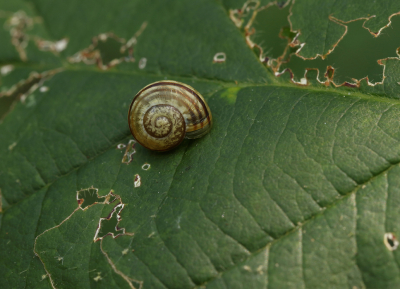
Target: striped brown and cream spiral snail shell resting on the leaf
(165, 112)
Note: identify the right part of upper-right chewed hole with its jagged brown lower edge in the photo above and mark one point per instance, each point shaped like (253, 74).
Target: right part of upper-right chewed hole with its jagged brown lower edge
(360, 61)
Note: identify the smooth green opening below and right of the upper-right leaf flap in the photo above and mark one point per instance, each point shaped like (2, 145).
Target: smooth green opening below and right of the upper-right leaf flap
(355, 56)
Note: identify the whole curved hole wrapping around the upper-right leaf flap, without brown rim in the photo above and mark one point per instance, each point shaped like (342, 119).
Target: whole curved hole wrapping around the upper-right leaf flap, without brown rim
(355, 57)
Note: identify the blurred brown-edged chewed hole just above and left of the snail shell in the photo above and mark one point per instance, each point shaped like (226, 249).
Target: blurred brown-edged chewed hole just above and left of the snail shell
(108, 50)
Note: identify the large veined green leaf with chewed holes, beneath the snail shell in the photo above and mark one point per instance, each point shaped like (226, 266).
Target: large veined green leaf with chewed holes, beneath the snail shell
(294, 187)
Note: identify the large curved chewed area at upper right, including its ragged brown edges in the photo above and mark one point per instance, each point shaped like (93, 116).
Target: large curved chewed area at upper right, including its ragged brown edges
(285, 60)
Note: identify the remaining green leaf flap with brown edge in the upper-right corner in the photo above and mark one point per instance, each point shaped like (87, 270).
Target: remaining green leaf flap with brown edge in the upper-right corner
(322, 24)
